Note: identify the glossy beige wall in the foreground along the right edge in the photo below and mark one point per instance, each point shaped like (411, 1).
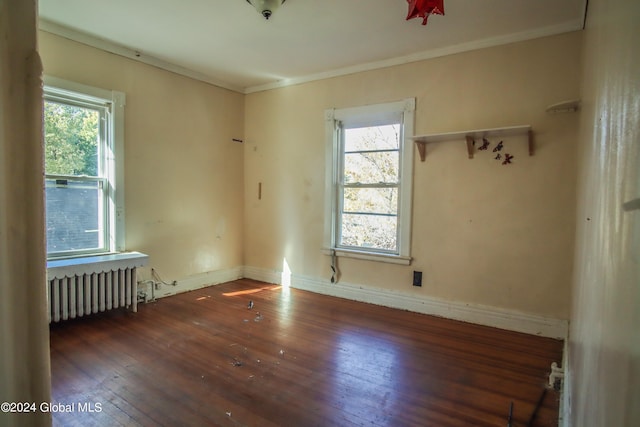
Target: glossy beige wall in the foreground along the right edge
(604, 340)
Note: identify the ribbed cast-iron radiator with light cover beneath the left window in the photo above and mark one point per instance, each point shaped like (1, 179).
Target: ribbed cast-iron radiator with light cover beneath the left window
(82, 286)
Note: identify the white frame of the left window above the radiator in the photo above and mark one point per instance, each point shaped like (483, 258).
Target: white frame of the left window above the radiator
(113, 158)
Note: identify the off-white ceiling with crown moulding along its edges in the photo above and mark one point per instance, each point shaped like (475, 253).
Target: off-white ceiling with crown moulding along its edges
(228, 43)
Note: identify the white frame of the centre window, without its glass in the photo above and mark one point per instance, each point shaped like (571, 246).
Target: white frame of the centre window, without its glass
(370, 115)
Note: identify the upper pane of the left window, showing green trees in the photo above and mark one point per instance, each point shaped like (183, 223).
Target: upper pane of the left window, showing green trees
(71, 139)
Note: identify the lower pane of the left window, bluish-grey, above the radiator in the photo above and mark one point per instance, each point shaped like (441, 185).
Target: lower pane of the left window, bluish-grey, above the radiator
(73, 214)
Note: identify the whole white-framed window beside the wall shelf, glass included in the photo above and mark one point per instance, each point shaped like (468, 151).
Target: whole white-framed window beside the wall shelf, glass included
(369, 177)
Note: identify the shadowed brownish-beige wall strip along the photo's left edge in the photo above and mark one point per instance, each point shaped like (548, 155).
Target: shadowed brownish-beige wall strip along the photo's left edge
(24, 333)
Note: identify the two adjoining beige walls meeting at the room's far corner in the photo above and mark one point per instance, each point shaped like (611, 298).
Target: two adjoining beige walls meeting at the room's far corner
(483, 233)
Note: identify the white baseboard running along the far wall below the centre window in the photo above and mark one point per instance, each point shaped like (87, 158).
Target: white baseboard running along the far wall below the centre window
(472, 313)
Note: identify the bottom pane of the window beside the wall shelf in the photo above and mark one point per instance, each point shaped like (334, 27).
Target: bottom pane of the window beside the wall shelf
(369, 231)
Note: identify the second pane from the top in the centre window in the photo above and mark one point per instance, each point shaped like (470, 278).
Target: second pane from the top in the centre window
(371, 168)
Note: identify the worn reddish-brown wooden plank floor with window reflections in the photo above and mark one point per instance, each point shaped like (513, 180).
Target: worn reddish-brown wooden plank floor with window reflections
(296, 359)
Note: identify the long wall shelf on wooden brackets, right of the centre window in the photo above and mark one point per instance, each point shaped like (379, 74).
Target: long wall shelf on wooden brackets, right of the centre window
(473, 135)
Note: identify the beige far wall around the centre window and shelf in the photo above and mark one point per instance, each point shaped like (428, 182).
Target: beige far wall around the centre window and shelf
(500, 236)
